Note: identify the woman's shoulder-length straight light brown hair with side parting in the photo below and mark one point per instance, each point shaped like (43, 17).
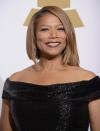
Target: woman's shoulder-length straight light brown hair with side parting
(70, 54)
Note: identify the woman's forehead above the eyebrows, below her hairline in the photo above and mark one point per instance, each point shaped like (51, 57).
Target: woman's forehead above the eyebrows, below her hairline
(48, 19)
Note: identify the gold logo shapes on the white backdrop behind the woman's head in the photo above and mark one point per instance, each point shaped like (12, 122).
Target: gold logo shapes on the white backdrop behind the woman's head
(64, 4)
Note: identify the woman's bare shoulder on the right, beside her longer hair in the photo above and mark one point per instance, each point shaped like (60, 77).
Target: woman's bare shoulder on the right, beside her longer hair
(85, 74)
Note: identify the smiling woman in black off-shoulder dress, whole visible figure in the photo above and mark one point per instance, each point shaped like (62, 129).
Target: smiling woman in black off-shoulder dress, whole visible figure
(55, 93)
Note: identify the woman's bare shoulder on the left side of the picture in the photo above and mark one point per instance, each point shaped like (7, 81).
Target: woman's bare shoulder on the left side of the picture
(19, 75)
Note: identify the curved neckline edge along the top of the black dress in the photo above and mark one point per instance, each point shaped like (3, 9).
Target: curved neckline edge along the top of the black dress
(81, 82)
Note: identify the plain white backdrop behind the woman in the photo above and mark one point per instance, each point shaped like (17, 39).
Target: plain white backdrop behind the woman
(13, 15)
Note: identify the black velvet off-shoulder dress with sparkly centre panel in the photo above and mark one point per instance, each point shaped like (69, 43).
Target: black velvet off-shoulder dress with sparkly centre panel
(55, 107)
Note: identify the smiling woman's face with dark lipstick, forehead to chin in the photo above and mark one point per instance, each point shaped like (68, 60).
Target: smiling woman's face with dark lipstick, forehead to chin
(50, 36)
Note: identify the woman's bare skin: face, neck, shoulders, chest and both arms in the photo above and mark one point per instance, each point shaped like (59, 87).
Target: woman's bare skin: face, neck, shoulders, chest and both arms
(50, 69)
